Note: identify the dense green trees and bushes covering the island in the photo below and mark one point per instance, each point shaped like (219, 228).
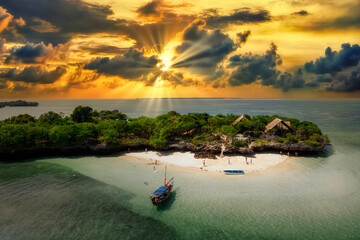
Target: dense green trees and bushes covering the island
(86, 126)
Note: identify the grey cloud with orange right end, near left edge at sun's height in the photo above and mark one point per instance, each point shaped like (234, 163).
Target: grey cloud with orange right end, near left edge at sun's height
(36, 53)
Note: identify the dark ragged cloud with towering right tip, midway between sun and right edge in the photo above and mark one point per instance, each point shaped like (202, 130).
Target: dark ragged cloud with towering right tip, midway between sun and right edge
(250, 68)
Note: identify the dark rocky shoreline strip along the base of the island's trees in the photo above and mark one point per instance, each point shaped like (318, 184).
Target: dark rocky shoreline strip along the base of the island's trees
(201, 151)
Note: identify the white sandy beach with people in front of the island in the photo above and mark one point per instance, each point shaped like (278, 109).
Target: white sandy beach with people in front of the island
(257, 162)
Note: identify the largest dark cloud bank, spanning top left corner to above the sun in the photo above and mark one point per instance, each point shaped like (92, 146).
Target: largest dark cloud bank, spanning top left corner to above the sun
(69, 18)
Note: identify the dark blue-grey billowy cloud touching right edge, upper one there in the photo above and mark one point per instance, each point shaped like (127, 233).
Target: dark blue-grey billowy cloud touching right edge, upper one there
(334, 61)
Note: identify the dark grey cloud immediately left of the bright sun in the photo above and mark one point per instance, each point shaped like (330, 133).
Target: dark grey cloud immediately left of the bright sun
(131, 65)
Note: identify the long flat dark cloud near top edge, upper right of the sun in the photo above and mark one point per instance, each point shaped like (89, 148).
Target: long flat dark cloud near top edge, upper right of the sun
(238, 17)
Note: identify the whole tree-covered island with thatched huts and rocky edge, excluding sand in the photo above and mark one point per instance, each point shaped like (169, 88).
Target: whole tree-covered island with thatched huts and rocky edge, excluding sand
(87, 131)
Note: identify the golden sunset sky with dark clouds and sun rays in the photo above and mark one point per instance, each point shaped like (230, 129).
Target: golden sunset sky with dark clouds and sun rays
(179, 49)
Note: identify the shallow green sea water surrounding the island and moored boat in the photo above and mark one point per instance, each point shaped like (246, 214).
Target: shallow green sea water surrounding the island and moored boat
(108, 197)
